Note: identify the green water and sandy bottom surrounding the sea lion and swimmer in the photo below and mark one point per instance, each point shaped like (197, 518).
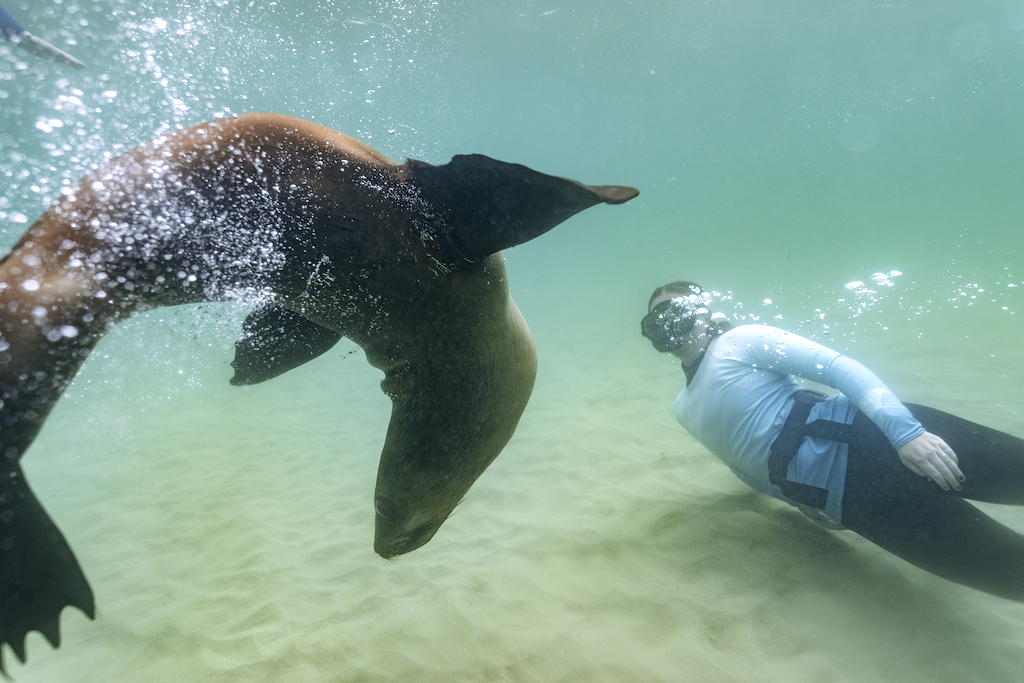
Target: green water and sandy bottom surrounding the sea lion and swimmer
(851, 172)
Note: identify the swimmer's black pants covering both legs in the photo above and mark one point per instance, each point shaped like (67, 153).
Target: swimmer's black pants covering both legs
(934, 530)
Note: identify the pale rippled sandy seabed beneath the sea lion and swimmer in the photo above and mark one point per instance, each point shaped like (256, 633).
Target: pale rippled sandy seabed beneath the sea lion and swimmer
(228, 535)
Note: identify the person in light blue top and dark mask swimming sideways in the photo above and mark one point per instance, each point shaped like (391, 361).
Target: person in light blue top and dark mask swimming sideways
(898, 475)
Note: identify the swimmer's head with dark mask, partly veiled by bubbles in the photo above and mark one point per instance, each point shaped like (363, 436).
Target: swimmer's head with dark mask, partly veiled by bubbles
(677, 316)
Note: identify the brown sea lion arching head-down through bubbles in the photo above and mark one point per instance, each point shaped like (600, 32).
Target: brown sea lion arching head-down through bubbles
(335, 240)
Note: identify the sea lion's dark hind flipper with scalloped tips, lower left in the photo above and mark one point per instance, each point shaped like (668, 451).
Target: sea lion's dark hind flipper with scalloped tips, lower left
(39, 576)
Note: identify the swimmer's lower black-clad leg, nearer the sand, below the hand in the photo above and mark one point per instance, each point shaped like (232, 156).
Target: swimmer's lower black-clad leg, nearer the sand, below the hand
(936, 531)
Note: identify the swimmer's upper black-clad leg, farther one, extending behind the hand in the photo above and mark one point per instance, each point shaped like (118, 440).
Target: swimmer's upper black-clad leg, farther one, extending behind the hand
(993, 461)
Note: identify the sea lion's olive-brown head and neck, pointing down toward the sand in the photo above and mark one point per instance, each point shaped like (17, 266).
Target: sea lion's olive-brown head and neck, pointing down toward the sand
(457, 396)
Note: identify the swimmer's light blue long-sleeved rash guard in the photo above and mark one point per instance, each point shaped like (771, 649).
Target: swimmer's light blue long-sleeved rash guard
(743, 392)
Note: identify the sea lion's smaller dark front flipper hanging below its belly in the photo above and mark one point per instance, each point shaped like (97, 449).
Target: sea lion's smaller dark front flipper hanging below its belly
(275, 340)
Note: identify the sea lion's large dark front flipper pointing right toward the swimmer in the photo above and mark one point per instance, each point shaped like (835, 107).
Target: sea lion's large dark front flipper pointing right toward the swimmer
(487, 205)
